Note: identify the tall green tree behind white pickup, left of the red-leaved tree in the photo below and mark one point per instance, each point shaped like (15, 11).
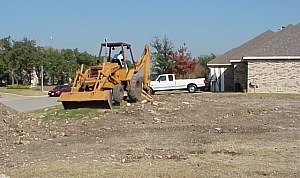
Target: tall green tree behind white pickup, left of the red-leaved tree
(162, 57)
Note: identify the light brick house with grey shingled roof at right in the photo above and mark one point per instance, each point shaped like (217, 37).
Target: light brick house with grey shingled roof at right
(268, 63)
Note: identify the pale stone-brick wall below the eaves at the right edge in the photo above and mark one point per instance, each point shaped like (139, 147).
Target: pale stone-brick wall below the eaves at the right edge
(274, 76)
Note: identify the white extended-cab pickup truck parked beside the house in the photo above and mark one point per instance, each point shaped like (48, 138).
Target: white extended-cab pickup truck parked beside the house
(168, 82)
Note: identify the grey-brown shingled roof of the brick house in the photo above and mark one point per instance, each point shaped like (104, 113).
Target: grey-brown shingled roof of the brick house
(269, 43)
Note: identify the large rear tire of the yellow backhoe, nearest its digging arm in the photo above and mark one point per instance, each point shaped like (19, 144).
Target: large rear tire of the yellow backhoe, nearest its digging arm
(135, 91)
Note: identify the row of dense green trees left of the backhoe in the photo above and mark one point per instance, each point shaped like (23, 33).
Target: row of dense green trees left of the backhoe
(19, 59)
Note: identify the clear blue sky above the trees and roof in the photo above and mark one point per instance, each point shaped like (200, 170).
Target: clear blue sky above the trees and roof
(206, 26)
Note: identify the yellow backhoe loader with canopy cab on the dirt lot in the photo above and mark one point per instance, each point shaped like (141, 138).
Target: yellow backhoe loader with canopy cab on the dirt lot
(111, 81)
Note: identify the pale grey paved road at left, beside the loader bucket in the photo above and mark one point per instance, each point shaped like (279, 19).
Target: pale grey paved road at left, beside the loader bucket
(27, 103)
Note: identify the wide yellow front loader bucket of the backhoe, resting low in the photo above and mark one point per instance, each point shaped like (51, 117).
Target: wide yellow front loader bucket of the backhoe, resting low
(99, 99)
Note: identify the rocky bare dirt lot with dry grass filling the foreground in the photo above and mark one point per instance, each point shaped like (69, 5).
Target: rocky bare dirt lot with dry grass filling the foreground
(180, 135)
